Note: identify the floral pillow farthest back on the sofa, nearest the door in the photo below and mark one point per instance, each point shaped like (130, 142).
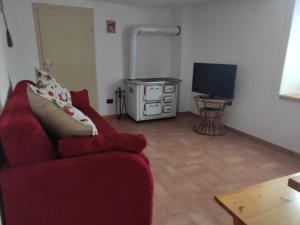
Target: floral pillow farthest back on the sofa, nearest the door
(46, 83)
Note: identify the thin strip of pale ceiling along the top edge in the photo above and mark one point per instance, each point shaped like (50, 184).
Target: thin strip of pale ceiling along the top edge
(160, 3)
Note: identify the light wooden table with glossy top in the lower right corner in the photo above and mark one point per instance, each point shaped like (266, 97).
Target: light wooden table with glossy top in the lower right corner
(269, 203)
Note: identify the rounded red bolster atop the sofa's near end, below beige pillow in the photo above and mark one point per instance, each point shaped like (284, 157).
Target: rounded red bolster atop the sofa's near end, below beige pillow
(75, 146)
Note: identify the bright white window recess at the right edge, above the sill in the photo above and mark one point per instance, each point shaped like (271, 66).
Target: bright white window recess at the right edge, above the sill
(291, 78)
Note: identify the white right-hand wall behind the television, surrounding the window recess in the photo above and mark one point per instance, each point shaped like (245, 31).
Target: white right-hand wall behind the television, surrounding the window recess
(254, 35)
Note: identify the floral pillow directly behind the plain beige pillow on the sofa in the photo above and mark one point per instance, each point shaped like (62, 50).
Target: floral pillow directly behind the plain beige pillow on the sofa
(67, 108)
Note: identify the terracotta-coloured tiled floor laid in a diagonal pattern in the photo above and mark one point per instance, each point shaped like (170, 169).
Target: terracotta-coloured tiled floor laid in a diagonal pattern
(189, 168)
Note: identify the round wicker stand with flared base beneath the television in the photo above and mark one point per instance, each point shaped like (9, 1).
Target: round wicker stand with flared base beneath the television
(210, 115)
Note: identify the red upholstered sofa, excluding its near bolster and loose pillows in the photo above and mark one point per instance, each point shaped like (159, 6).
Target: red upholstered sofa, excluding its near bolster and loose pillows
(40, 188)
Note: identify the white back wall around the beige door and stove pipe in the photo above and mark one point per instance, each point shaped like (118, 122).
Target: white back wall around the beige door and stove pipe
(154, 56)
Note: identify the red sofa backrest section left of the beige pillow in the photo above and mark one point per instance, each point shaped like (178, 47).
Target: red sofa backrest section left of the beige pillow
(22, 137)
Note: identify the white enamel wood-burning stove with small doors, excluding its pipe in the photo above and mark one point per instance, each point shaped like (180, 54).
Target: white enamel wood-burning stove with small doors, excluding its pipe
(152, 98)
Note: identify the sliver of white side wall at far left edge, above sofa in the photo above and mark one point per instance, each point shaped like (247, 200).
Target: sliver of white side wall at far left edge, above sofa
(4, 80)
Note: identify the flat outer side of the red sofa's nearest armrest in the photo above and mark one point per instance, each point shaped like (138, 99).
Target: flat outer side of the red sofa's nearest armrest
(111, 188)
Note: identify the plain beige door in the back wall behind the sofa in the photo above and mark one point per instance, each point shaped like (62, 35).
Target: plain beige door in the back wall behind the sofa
(66, 46)
